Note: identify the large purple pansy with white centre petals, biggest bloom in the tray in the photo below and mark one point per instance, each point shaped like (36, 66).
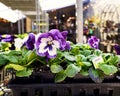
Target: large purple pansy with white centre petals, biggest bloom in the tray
(48, 43)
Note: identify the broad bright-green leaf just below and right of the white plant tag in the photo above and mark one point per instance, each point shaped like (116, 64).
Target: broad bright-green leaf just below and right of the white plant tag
(108, 69)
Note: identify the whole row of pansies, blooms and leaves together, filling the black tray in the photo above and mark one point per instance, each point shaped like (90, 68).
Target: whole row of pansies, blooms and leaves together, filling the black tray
(50, 52)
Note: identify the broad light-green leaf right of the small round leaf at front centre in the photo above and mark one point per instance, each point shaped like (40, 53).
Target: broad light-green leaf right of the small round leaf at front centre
(72, 70)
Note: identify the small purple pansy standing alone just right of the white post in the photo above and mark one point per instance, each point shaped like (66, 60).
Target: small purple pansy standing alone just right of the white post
(93, 42)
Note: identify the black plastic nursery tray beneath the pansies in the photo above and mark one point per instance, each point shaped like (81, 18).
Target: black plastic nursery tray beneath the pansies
(80, 86)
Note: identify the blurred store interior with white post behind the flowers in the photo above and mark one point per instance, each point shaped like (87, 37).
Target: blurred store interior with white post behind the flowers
(100, 18)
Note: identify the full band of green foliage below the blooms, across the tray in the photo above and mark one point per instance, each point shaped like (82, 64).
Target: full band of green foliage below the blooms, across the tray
(69, 63)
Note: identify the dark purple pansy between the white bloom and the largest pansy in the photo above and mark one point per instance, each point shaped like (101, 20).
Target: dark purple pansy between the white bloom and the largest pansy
(30, 41)
